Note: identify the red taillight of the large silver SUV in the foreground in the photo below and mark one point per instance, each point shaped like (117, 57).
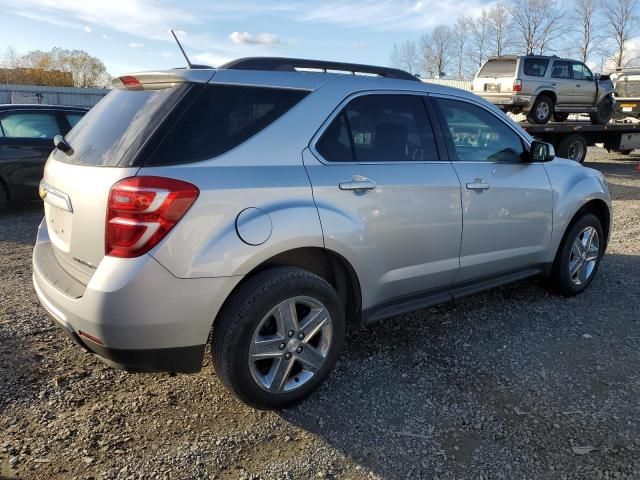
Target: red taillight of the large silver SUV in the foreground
(142, 210)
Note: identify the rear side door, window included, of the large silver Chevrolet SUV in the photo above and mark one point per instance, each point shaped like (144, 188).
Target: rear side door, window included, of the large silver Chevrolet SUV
(386, 200)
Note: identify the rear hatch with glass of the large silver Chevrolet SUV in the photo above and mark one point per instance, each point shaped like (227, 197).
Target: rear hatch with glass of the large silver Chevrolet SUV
(104, 149)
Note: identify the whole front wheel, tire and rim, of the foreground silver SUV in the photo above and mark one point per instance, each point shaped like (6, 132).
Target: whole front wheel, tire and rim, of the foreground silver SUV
(578, 257)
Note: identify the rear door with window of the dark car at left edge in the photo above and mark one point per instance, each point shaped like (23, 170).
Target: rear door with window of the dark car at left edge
(25, 143)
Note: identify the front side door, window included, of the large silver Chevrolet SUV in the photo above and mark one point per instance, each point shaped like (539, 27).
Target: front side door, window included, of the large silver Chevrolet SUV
(506, 201)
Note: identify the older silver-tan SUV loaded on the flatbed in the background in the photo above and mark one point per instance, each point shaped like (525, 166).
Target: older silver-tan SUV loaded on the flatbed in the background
(544, 88)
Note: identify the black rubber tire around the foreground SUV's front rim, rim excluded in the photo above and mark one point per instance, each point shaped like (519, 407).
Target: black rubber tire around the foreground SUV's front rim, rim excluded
(560, 279)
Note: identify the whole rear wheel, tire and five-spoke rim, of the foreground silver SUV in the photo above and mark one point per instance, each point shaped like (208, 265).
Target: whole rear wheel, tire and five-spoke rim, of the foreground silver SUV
(278, 337)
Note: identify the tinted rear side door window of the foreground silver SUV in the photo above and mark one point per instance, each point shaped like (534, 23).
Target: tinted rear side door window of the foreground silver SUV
(380, 128)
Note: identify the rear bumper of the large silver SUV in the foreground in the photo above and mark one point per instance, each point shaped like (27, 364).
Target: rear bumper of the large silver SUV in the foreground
(141, 316)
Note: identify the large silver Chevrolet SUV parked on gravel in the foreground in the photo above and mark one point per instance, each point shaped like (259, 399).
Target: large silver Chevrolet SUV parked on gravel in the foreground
(269, 210)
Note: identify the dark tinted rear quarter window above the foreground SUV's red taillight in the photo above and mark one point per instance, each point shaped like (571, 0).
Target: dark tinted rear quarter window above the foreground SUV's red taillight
(222, 117)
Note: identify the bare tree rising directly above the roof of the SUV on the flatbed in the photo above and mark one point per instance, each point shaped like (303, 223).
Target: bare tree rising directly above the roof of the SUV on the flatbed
(537, 25)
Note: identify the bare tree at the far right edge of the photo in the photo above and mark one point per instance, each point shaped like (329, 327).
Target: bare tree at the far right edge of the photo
(621, 24)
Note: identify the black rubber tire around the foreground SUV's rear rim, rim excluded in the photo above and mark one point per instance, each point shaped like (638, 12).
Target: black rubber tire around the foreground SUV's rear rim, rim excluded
(244, 312)
